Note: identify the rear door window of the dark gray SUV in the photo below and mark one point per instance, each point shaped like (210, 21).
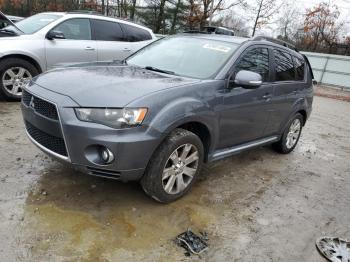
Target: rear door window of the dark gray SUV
(284, 66)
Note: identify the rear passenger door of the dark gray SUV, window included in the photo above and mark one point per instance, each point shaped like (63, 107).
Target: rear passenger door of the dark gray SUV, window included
(288, 83)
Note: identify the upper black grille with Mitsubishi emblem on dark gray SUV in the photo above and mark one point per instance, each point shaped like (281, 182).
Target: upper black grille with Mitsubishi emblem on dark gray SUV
(39, 105)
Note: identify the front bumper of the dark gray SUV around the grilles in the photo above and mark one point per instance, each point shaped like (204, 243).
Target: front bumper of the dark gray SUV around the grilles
(131, 147)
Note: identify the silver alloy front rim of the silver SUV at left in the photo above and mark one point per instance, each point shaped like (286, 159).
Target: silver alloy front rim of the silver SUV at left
(14, 79)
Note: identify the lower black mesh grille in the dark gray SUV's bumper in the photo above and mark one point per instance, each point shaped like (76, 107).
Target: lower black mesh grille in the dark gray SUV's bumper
(55, 144)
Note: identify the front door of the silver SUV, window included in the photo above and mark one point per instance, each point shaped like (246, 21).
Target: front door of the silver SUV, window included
(77, 46)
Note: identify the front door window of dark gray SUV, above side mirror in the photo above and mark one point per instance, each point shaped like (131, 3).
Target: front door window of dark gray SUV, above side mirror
(255, 60)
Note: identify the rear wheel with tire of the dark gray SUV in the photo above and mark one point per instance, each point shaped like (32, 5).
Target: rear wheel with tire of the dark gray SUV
(285, 147)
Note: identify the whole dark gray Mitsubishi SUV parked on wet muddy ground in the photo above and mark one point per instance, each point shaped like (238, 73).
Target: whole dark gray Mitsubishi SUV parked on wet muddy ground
(158, 115)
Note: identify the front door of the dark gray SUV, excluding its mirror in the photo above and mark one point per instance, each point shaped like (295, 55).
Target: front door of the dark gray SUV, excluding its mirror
(246, 111)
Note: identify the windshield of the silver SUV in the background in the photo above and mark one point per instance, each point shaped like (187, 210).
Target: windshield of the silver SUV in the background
(34, 23)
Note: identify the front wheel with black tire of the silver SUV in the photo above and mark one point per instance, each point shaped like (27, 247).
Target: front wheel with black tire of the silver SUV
(19, 67)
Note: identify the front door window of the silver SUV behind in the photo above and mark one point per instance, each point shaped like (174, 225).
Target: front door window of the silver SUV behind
(76, 29)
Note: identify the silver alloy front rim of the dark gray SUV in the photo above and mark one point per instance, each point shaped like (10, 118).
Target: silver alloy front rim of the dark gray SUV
(180, 169)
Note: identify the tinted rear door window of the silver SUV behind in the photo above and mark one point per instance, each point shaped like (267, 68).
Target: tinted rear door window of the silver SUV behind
(107, 31)
